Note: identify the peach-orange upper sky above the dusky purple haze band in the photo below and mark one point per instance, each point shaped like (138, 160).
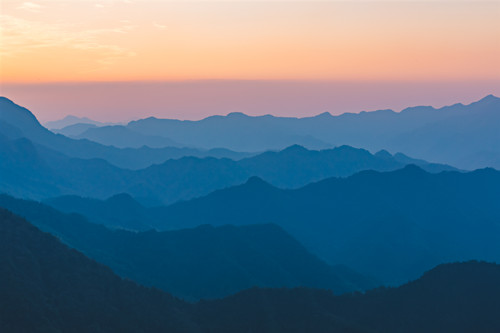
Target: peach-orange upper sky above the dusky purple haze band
(128, 40)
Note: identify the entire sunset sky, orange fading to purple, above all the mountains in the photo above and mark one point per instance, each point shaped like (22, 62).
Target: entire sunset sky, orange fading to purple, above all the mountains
(127, 59)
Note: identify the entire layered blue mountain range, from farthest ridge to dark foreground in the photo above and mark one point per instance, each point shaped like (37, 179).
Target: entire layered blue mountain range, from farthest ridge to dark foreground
(252, 224)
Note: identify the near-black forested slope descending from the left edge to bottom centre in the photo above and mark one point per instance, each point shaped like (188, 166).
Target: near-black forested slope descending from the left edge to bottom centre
(47, 287)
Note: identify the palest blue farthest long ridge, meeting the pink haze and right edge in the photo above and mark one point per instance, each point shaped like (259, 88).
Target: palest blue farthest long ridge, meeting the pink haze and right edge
(466, 136)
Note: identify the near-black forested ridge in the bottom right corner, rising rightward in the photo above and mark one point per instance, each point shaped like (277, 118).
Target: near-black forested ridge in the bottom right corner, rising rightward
(460, 297)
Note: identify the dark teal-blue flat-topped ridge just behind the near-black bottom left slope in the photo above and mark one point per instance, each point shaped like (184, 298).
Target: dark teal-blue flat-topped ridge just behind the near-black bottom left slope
(195, 263)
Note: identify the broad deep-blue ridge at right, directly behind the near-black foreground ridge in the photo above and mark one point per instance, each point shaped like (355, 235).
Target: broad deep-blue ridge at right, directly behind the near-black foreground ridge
(390, 225)
